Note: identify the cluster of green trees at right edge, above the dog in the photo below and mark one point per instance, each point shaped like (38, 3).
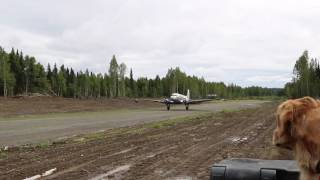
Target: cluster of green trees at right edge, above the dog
(306, 78)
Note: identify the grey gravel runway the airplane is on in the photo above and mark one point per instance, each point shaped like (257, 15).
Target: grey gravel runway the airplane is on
(38, 128)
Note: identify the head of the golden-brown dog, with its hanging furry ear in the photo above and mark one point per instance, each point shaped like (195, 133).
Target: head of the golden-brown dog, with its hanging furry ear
(290, 116)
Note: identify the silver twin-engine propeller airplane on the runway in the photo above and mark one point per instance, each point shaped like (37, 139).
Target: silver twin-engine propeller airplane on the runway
(177, 98)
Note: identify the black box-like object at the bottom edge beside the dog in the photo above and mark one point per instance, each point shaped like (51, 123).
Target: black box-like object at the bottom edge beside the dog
(255, 169)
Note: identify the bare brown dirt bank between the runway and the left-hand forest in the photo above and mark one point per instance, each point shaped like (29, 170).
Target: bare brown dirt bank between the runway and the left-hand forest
(38, 104)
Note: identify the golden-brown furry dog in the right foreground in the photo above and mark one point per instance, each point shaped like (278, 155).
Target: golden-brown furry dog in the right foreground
(298, 129)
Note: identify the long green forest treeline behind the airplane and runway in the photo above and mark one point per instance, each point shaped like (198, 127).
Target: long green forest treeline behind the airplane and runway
(21, 74)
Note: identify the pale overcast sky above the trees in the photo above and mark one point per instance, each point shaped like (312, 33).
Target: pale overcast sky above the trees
(247, 42)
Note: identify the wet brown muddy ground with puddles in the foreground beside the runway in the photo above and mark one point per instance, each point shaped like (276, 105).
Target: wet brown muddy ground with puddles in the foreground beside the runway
(179, 148)
